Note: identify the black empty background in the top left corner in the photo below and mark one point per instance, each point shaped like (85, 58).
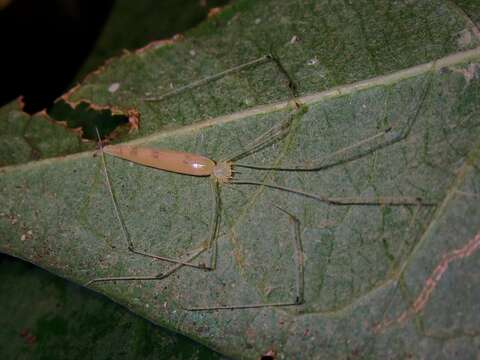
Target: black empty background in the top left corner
(44, 44)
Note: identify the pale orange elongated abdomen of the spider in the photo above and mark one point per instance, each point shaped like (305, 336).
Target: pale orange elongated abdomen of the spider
(168, 160)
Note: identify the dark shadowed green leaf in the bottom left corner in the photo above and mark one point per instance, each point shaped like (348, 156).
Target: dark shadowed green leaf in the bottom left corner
(46, 317)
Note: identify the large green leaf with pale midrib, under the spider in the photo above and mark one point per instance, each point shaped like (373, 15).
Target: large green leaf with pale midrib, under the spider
(380, 281)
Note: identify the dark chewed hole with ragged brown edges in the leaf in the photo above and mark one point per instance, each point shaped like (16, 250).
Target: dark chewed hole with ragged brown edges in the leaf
(86, 118)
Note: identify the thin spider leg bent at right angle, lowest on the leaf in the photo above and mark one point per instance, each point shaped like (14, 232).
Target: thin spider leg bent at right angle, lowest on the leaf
(299, 279)
